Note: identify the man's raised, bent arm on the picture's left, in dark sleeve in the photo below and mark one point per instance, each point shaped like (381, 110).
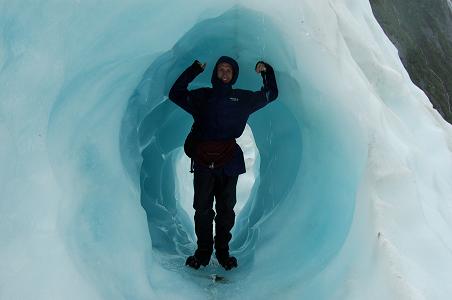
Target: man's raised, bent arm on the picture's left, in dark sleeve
(179, 92)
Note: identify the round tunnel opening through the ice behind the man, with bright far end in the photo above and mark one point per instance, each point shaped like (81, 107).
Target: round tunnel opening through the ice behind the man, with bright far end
(272, 139)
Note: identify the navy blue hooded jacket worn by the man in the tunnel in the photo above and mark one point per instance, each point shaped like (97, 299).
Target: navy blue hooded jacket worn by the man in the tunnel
(221, 112)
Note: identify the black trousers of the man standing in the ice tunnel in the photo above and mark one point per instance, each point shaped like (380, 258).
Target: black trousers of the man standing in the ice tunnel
(206, 186)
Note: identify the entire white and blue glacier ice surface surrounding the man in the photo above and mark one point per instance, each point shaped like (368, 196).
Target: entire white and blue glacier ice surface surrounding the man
(347, 194)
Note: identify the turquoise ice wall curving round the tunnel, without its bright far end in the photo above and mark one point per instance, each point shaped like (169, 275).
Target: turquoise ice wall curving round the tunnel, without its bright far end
(303, 201)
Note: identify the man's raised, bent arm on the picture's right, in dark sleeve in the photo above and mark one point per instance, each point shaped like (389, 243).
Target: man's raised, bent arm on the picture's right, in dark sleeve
(269, 91)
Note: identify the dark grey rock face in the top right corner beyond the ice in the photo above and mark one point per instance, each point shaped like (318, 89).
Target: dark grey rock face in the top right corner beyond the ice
(422, 32)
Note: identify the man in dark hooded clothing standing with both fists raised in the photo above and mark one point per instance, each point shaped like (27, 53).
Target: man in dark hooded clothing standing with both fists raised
(220, 114)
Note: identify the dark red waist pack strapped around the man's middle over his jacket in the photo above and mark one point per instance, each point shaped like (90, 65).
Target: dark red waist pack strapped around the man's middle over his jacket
(212, 154)
